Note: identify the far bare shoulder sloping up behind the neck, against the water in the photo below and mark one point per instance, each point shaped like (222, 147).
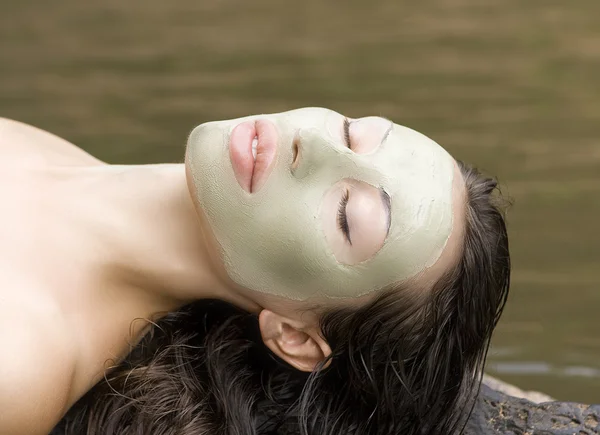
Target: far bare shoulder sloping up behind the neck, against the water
(24, 143)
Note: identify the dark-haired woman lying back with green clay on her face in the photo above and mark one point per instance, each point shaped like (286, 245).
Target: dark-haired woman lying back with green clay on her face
(367, 268)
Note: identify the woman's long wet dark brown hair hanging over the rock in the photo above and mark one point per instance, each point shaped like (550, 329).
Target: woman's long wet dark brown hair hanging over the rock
(397, 366)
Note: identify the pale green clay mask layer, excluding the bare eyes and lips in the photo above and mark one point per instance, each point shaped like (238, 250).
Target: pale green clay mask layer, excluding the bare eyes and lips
(273, 240)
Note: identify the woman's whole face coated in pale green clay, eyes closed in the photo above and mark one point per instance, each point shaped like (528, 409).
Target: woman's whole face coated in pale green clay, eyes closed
(310, 203)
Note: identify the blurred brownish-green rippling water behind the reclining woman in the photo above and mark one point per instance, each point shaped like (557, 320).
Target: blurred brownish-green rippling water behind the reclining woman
(512, 86)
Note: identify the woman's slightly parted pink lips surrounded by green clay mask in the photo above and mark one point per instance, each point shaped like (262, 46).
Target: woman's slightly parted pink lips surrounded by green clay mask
(250, 174)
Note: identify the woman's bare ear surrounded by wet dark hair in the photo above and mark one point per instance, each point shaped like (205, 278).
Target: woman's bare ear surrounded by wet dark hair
(298, 344)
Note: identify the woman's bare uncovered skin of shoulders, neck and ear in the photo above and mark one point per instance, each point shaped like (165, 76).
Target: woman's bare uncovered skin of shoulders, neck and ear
(88, 248)
